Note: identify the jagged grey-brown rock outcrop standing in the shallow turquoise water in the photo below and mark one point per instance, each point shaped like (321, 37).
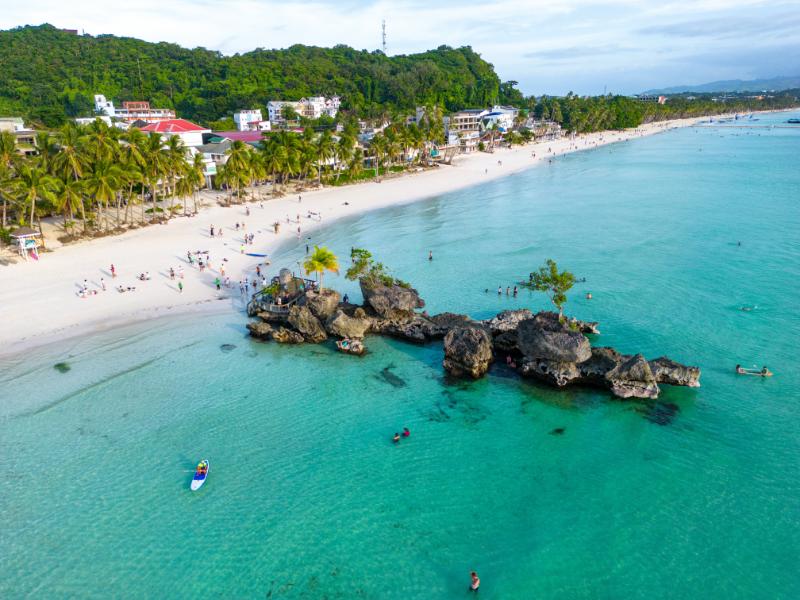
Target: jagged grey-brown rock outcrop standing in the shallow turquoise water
(541, 346)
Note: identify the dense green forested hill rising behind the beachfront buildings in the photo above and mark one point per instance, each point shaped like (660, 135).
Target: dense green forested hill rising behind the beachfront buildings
(49, 75)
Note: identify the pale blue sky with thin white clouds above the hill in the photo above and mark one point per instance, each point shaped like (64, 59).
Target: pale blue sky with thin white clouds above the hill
(548, 46)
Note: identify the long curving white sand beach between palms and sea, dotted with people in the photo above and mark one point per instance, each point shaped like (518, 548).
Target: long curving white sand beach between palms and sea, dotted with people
(40, 299)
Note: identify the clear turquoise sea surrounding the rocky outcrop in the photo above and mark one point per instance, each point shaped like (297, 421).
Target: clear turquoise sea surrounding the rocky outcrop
(695, 496)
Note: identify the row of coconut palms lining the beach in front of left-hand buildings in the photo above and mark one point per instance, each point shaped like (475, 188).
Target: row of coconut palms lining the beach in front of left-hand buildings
(102, 178)
